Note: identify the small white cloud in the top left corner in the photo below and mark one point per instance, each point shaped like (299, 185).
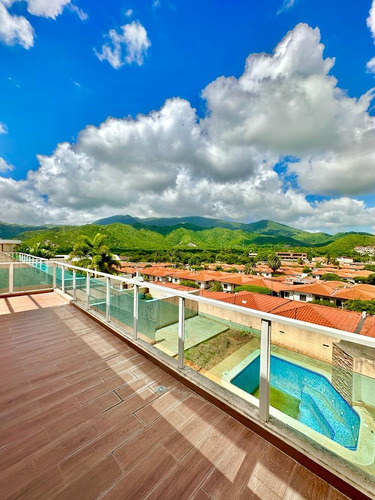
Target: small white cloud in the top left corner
(15, 29)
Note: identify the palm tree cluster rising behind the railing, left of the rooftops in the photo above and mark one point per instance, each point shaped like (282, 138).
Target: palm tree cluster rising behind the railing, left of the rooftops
(93, 254)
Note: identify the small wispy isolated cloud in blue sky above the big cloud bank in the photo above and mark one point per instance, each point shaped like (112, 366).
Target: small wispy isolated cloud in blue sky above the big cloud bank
(126, 47)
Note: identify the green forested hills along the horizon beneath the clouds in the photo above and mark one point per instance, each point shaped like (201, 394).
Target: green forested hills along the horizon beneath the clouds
(130, 233)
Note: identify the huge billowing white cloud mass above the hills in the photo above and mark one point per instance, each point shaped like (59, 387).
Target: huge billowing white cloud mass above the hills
(172, 162)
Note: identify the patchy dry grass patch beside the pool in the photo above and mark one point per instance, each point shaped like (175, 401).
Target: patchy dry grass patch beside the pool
(211, 352)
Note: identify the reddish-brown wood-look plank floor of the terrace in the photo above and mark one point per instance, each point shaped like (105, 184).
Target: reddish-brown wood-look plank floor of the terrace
(81, 417)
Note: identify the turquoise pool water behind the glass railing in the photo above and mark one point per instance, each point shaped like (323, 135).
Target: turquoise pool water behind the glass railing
(305, 396)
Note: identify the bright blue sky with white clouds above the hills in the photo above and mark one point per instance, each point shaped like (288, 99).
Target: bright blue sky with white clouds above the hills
(238, 110)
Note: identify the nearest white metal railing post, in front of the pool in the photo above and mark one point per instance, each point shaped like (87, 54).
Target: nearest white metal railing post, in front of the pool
(264, 372)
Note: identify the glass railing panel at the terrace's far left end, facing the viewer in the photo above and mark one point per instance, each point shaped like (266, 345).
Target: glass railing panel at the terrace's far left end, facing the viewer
(31, 277)
